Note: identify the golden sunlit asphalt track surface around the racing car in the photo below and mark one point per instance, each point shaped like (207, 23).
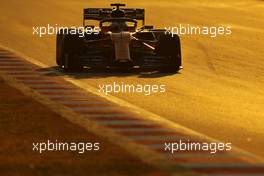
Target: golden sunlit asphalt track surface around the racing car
(220, 91)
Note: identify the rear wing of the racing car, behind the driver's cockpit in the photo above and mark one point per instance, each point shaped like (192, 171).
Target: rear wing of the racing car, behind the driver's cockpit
(103, 13)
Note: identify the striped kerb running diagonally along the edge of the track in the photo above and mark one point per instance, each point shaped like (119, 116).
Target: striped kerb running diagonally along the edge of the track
(139, 133)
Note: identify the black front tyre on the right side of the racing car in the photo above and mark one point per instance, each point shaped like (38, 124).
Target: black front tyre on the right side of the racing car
(170, 47)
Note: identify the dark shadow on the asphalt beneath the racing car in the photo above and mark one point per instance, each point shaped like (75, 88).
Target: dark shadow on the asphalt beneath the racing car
(97, 74)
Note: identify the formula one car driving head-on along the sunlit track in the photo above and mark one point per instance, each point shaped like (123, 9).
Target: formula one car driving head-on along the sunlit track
(118, 42)
